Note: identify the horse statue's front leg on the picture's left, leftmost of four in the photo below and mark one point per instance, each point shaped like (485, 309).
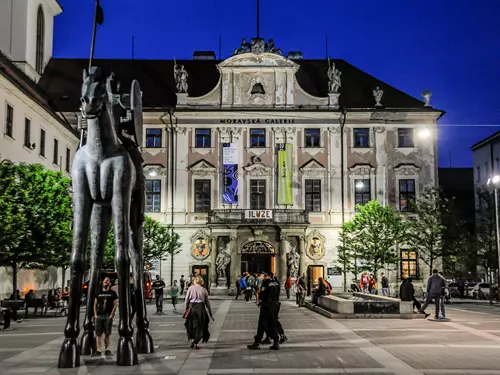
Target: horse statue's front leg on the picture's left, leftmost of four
(69, 356)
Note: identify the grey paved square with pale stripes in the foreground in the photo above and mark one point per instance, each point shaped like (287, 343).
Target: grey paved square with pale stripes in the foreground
(468, 344)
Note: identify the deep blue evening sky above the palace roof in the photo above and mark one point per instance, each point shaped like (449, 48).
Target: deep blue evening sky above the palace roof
(451, 47)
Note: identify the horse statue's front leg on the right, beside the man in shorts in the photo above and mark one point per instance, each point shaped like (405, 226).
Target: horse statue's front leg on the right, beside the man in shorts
(126, 354)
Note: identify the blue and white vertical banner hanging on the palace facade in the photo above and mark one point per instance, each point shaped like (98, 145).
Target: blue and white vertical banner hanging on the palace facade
(230, 177)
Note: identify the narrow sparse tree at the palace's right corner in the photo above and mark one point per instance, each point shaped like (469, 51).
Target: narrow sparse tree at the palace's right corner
(428, 229)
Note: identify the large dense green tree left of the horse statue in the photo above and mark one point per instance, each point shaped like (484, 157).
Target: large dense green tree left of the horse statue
(35, 215)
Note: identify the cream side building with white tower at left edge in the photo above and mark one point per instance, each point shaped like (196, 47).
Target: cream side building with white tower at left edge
(32, 130)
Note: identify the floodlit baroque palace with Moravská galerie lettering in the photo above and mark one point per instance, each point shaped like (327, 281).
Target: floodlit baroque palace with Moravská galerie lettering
(257, 159)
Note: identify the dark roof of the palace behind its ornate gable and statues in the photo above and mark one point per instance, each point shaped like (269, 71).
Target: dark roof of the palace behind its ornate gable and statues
(62, 79)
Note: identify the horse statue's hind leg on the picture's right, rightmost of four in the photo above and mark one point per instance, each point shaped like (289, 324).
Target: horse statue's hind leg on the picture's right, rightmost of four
(143, 340)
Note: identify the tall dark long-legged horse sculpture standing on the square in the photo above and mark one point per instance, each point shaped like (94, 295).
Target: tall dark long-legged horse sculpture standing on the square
(108, 182)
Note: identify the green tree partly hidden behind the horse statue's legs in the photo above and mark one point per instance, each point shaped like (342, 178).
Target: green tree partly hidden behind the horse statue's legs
(158, 243)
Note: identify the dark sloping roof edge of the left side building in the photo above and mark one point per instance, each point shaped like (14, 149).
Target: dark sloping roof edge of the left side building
(25, 84)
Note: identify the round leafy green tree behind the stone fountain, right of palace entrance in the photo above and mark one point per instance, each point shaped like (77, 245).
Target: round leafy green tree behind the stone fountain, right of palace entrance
(372, 237)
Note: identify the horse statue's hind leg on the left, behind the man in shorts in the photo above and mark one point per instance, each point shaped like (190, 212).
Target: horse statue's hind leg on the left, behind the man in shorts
(99, 229)
